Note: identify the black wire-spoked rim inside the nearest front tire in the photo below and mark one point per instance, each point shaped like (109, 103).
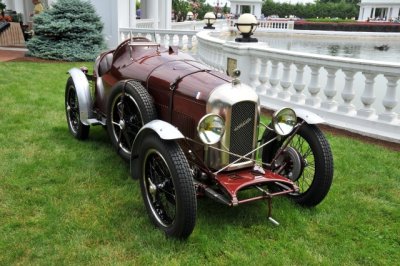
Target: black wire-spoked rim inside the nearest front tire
(160, 191)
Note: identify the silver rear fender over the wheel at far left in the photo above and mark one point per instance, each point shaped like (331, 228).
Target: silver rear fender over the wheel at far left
(83, 92)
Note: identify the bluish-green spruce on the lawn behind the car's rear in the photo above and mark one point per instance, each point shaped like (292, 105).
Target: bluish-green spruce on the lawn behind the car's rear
(70, 30)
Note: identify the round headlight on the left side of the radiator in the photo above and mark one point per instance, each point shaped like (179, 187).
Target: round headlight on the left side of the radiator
(211, 128)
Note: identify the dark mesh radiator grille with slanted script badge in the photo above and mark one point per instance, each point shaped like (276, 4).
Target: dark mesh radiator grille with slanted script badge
(242, 129)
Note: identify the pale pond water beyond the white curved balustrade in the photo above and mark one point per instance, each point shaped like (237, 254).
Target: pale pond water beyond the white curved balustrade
(348, 45)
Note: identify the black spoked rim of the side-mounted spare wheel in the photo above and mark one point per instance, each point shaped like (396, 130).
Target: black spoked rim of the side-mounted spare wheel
(126, 121)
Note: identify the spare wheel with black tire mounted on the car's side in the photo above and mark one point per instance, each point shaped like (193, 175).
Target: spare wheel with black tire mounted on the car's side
(129, 108)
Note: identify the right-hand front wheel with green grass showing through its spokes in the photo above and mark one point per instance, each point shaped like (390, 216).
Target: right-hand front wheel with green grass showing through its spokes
(307, 161)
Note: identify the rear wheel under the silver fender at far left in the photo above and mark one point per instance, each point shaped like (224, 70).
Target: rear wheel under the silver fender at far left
(77, 129)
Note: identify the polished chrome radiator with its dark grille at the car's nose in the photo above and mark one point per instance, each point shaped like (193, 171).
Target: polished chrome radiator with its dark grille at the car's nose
(239, 105)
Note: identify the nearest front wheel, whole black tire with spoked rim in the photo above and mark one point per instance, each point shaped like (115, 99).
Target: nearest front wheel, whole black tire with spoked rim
(167, 187)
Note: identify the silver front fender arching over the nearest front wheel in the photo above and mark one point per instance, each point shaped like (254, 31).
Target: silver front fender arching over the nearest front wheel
(164, 130)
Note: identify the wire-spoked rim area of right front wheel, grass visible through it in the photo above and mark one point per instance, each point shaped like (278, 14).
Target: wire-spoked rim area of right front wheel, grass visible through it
(305, 180)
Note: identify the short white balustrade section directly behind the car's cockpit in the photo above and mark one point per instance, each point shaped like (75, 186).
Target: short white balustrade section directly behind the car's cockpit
(184, 39)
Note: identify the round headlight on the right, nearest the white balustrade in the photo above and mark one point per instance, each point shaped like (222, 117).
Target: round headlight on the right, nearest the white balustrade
(284, 121)
